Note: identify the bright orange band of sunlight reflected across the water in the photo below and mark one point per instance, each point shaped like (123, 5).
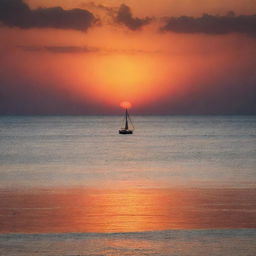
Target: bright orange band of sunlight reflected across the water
(131, 210)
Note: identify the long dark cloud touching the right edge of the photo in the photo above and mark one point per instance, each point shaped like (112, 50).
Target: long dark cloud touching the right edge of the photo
(209, 24)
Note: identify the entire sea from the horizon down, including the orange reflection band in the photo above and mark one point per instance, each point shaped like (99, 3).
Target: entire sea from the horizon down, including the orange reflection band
(180, 185)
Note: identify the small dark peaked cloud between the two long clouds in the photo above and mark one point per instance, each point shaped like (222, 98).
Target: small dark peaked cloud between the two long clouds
(124, 16)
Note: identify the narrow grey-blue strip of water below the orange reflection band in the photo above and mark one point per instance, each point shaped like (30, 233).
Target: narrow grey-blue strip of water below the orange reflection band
(176, 242)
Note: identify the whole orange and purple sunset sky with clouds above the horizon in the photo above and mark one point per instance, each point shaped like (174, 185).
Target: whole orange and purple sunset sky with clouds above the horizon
(165, 57)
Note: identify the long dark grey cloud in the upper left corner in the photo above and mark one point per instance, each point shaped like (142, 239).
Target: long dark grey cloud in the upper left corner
(16, 13)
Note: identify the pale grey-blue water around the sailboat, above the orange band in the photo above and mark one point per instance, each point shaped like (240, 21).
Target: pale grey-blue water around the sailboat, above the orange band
(164, 151)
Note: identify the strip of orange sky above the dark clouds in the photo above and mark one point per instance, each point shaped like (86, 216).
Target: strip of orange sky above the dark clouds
(161, 7)
